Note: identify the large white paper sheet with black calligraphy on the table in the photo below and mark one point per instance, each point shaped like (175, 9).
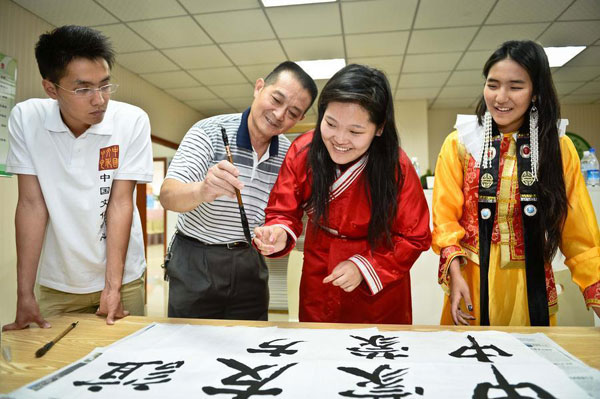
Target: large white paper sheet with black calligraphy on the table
(245, 362)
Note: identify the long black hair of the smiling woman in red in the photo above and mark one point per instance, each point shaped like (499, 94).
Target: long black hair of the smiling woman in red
(369, 88)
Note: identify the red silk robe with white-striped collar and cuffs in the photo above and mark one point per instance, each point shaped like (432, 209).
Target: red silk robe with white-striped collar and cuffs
(384, 294)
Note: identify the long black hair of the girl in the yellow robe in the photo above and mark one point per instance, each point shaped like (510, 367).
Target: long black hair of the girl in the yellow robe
(551, 188)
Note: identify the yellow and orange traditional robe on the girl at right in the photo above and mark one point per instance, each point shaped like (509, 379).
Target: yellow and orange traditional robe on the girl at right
(456, 231)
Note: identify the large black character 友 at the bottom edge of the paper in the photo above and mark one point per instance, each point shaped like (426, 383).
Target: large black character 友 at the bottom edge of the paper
(254, 382)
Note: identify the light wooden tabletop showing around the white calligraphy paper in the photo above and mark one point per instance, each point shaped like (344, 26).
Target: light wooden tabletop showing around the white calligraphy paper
(92, 332)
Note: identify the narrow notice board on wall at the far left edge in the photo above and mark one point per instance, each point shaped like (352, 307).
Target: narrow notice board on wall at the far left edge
(8, 92)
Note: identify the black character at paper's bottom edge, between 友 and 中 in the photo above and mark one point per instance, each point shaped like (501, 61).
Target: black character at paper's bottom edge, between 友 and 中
(380, 383)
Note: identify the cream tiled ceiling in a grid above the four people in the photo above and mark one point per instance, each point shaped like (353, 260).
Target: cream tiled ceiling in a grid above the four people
(209, 53)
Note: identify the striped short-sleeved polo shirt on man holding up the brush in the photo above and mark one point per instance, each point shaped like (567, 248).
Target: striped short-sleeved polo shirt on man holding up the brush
(218, 222)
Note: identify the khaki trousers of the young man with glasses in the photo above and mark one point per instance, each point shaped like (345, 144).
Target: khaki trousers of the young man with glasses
(53, 302)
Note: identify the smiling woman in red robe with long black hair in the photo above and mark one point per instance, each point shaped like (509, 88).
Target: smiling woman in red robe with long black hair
(368, 220)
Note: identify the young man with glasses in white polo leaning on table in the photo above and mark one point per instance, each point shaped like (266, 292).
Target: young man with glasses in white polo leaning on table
(78, 157)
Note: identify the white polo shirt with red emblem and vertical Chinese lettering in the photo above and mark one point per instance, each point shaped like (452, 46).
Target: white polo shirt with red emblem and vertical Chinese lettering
(76, 176)
